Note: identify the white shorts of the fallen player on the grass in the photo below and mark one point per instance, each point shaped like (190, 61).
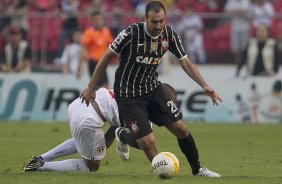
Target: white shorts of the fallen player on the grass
(87, 130)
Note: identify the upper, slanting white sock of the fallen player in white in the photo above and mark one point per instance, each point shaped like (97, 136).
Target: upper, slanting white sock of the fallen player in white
(66, 148)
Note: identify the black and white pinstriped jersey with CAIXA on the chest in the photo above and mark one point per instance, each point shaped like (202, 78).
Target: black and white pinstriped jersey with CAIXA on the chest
(139, 55)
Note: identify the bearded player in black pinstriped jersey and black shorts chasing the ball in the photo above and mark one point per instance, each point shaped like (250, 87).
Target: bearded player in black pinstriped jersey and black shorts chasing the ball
(140, 48)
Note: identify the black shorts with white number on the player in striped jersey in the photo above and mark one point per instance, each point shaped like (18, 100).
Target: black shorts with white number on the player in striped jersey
(156, 106)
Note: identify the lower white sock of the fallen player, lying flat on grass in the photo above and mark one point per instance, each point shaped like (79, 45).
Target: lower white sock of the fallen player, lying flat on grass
(65, 165)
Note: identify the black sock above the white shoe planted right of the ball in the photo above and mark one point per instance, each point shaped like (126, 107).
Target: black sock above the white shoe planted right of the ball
(188, 147)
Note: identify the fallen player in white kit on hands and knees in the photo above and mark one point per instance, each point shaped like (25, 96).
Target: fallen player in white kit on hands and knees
(86, 125)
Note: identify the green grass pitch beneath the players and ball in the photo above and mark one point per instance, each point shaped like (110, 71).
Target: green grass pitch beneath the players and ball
(241, 153)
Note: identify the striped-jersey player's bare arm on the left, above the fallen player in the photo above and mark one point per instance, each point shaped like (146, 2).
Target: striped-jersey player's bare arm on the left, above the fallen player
(89, 94)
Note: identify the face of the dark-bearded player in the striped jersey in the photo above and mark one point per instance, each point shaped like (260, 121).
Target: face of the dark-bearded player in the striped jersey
(155, 22)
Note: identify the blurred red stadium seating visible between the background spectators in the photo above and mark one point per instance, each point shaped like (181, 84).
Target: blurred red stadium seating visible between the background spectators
(44, 25)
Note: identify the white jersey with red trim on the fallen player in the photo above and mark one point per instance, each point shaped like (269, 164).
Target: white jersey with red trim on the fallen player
(106, 101)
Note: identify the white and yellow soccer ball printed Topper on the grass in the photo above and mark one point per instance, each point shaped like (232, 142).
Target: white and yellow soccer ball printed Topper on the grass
(165, 165)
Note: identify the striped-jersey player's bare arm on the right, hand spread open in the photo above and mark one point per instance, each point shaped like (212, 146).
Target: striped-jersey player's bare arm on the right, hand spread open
(194, 73)
